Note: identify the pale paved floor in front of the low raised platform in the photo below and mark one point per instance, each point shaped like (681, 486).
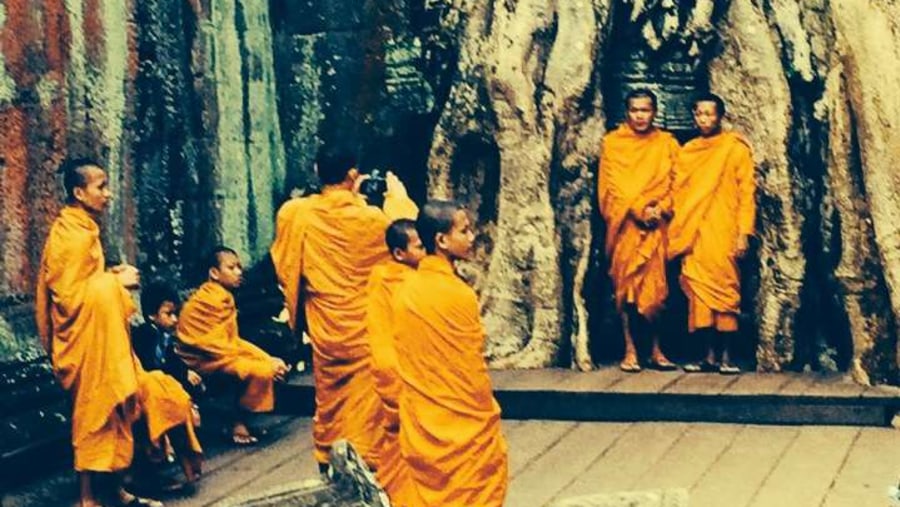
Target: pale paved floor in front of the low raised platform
(718, 464)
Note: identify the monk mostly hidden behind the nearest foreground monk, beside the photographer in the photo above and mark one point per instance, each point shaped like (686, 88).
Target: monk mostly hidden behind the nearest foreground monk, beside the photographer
(386, 279)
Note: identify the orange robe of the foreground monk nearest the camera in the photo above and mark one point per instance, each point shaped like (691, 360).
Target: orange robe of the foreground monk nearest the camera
(450, 422)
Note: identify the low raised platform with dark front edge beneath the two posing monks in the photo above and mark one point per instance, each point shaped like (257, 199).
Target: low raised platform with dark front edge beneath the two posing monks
(609, 394)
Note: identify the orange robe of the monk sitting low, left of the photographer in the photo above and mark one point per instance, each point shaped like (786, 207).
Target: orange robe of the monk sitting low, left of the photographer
(209, 343)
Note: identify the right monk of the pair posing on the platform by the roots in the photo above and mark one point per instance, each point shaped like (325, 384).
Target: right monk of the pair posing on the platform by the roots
(715, 212)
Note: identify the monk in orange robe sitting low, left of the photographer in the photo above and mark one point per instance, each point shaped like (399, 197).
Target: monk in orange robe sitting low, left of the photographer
(208, 342)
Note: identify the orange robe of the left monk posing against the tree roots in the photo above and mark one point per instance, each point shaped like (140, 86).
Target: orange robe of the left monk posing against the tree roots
(636, 170)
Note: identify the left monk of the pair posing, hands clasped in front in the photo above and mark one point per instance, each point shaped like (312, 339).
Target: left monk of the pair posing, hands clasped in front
(634, 190)
